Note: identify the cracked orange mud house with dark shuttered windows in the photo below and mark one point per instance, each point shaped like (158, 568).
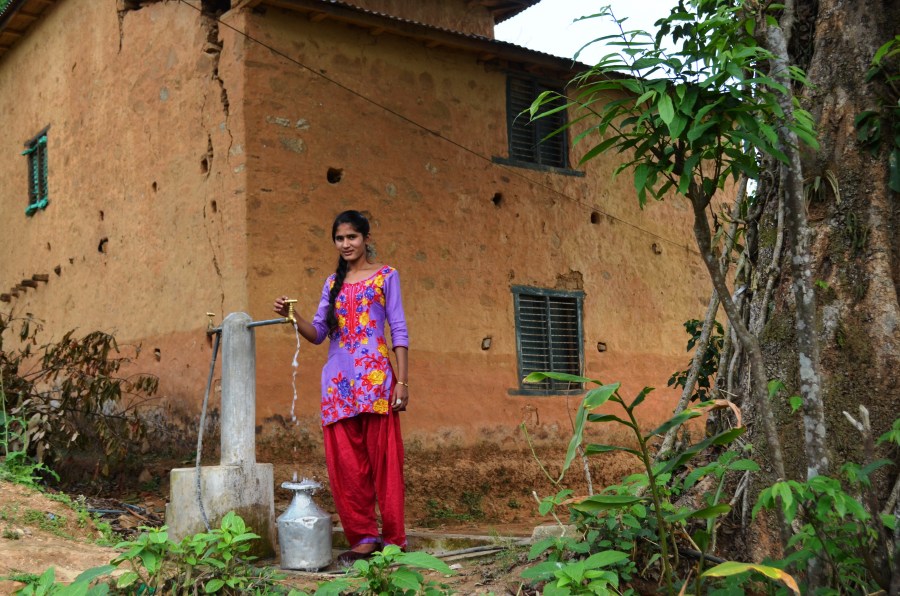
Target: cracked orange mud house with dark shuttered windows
(162, 159)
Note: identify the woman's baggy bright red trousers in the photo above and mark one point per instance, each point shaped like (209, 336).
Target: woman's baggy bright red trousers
(365, 461)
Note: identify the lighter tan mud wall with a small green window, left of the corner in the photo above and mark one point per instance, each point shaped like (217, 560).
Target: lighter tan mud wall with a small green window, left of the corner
(145, 230)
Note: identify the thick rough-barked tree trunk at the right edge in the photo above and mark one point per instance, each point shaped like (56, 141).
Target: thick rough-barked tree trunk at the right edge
(855, 244)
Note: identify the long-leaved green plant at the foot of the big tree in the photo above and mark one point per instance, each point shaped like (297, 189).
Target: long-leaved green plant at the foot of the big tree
(621, 522)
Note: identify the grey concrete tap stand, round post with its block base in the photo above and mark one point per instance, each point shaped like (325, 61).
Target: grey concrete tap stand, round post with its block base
(238, 483)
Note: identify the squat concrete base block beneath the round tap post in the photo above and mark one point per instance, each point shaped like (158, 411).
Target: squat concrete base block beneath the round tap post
(248, 490)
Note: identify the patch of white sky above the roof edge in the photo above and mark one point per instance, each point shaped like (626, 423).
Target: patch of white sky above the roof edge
(548, 26)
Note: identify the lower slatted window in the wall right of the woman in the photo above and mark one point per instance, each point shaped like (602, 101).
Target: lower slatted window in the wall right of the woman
(548, 337)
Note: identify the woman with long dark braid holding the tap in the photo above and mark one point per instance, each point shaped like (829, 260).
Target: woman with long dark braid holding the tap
(361, 393)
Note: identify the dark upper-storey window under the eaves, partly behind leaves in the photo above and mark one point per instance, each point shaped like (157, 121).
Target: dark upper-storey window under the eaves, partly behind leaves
(527, 141)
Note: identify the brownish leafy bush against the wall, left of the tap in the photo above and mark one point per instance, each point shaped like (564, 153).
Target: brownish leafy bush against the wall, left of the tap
(68, 393)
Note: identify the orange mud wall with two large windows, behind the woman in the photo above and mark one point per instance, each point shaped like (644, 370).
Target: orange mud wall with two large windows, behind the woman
(429, 188)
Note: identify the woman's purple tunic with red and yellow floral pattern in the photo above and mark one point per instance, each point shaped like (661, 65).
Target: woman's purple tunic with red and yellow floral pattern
(358, 377)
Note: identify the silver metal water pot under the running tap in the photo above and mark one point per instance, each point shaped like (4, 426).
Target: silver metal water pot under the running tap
(304, 530)
